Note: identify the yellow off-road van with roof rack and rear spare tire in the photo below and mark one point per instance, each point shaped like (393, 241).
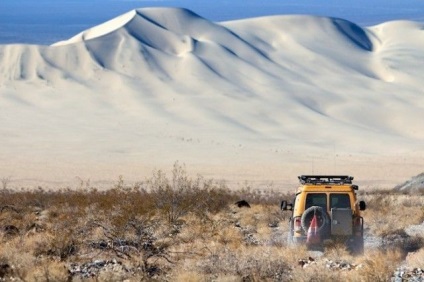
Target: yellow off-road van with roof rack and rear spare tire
(333, 201)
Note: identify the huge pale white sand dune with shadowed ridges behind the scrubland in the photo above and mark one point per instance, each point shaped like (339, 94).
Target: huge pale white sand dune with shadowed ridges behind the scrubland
(260, 100)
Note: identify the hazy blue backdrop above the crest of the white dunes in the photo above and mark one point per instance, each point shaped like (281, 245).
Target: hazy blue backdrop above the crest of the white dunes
(46, 21)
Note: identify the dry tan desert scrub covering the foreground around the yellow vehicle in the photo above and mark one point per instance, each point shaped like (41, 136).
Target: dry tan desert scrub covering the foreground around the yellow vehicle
(182, 229)
